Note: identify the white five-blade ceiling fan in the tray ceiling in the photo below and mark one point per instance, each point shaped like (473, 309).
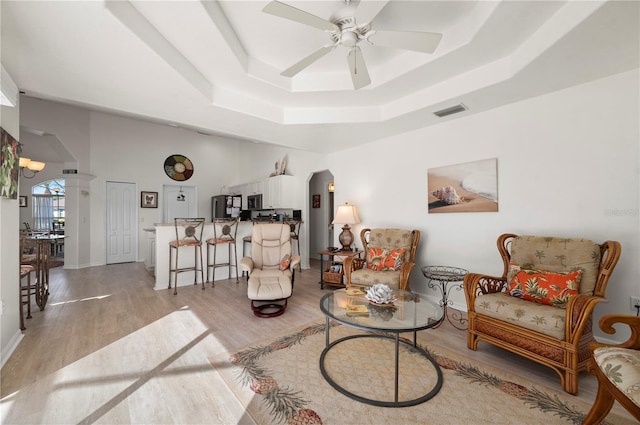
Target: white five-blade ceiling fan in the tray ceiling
(348, 31)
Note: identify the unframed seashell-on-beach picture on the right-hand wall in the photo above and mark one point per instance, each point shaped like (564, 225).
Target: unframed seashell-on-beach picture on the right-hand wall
(466, 187)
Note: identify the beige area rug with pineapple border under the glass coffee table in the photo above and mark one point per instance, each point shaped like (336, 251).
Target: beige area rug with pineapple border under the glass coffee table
(279, 381)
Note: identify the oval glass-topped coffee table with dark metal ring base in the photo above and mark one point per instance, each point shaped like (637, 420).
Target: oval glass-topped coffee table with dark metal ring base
(410, 313)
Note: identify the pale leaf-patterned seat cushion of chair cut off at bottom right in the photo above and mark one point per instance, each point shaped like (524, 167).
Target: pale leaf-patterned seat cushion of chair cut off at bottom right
(622, 367)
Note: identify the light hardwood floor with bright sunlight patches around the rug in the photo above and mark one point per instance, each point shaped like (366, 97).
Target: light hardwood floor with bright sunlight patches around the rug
(109, 317)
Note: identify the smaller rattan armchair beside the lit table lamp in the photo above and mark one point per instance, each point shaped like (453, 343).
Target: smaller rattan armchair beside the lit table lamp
(358, 273)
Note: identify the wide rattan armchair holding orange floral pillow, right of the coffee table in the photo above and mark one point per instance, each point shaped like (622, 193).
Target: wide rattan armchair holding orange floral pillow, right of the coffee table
(555, 337)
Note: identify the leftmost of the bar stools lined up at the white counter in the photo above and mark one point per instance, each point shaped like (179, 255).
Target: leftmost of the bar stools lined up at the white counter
(188, 234)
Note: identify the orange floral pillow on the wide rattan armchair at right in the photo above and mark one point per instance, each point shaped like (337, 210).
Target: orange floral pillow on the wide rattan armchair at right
(542, 286)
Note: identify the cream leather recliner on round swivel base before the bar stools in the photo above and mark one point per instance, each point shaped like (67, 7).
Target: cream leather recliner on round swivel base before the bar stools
(271, 269)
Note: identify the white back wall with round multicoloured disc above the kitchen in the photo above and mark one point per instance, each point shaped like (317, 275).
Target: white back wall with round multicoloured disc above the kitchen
(131, 150)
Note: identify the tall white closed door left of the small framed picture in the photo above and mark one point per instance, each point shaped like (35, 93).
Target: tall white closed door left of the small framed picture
(122, 223)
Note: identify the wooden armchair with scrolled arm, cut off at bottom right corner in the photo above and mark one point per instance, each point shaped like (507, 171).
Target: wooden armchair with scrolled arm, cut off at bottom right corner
(617, 368)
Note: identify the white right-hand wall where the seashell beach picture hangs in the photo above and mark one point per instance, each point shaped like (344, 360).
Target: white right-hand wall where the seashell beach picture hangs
(567, 166)
